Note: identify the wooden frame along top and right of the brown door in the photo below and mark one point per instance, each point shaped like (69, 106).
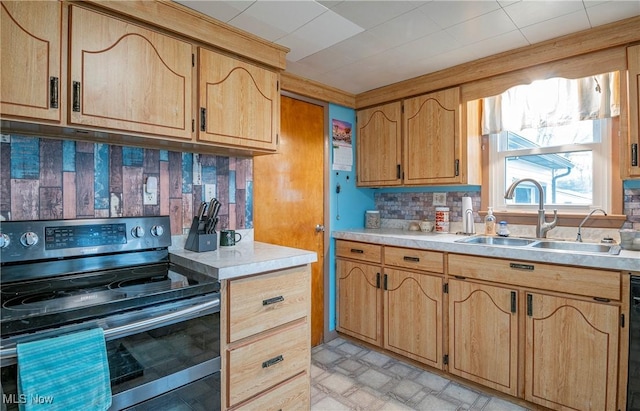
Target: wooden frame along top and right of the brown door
(328, 335)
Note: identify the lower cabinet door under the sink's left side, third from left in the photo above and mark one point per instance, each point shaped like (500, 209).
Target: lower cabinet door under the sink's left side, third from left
(483, 335)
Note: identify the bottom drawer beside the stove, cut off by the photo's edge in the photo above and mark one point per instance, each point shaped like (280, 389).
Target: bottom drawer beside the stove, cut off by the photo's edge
(293, 394)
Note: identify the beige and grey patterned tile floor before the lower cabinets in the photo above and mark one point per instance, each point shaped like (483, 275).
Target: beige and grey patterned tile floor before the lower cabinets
(348, 376)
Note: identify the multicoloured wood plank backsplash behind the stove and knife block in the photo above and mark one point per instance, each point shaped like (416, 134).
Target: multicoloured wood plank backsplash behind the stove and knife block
(42, 179)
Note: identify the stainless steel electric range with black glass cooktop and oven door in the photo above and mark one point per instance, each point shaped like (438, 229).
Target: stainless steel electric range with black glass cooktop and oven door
(161, 321)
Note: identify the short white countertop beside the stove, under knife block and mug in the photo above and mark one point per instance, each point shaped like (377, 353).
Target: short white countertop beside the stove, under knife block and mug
(244, 258)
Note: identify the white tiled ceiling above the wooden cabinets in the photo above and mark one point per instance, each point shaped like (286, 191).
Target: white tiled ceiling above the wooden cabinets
(358, 46)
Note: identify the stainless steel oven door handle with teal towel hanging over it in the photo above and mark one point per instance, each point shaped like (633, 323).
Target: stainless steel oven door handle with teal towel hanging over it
(135, 327)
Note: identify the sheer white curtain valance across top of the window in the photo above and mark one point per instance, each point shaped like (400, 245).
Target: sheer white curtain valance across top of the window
(552, 102)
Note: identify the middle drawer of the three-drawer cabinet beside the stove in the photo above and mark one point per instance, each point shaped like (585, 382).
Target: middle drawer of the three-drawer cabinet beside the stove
(266, 362)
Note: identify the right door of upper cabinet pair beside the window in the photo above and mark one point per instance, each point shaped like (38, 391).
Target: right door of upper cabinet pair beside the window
(432, 146)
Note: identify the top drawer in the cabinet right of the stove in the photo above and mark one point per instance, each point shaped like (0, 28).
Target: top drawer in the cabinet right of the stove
(259, 303)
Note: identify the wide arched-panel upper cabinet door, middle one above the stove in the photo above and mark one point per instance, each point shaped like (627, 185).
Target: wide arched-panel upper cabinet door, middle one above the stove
(128, 78)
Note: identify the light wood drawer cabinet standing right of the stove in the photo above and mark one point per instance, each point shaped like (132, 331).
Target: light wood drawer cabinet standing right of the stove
(265, 340)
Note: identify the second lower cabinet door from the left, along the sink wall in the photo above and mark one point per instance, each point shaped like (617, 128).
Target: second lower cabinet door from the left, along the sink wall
(413, 315)
